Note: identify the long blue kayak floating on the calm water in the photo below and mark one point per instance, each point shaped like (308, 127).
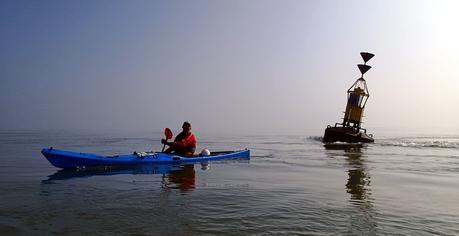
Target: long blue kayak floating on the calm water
(73, 160)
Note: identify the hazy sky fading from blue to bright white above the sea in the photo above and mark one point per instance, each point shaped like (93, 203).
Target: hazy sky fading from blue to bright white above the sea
(227, 66)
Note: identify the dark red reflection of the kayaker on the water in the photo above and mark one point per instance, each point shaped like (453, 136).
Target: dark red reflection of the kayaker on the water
(183, 179)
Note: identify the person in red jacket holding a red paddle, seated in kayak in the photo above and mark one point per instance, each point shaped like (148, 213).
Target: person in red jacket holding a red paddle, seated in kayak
(184, 144)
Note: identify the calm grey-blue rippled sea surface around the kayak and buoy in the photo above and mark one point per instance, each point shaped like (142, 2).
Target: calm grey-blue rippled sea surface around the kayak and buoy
(401, 185)
